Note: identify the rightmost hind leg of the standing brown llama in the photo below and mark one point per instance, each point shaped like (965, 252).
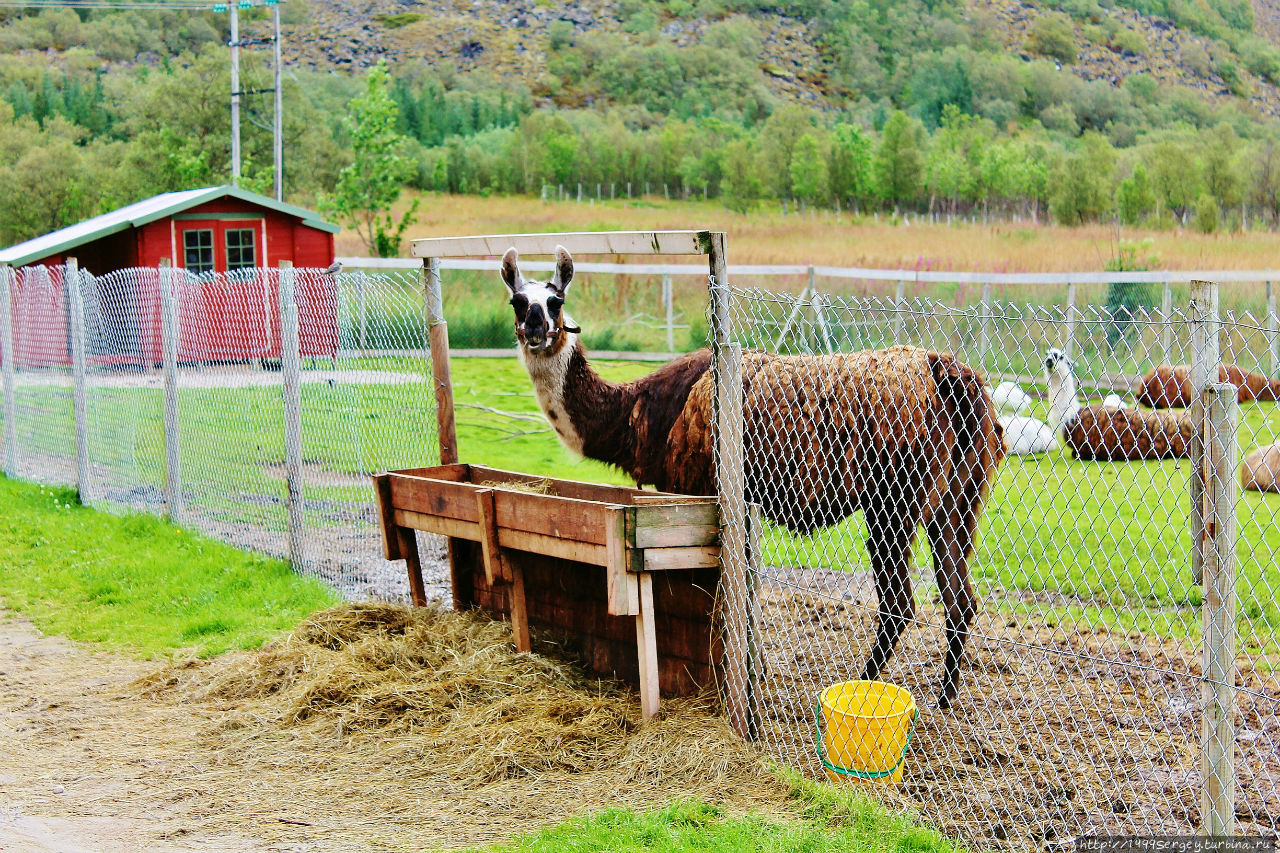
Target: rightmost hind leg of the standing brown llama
(952, 540)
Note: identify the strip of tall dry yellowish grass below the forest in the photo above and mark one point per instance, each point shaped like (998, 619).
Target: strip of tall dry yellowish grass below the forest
(769, 238)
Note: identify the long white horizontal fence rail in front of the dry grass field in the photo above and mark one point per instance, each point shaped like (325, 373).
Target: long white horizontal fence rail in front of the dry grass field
(918, 277)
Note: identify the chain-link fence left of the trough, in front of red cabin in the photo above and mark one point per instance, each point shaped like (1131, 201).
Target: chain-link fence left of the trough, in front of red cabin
(202, 435)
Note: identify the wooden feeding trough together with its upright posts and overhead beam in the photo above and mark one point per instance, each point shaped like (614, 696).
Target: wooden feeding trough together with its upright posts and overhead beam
(633, 578)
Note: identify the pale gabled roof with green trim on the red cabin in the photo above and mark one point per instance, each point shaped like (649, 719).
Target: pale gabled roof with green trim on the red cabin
(167, 204)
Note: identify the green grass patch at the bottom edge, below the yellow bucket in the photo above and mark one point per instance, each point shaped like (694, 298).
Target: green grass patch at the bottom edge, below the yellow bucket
(834, 820)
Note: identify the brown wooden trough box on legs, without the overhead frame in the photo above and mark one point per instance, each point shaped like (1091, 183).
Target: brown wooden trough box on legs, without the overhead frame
(574, 558)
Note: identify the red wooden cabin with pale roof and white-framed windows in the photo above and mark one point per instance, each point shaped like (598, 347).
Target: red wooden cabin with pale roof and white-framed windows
(228, 241)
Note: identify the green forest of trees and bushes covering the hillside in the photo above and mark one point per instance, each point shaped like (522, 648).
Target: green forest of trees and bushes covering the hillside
(924, 111)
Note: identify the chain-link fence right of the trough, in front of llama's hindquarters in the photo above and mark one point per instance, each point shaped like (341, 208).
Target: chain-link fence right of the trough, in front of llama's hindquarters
(1096, 665)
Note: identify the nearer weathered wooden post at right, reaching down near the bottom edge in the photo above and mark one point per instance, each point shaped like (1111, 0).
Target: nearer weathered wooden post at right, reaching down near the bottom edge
(1218, 563)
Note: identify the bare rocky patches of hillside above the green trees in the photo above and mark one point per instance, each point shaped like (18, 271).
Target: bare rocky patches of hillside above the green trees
(510, 39)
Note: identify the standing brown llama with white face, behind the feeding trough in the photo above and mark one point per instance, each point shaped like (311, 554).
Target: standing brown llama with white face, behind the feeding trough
(906, 435)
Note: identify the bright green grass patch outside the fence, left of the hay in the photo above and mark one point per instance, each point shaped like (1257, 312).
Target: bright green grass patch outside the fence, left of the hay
(138, 582)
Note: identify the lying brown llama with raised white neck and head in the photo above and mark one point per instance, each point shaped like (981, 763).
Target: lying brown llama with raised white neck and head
(1108, 434)
